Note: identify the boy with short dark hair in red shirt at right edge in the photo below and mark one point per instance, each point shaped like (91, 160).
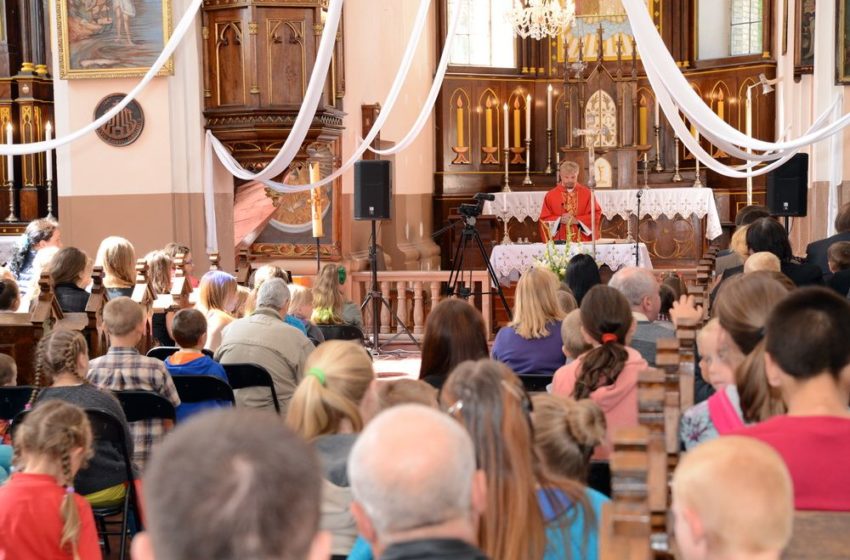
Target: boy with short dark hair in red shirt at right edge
(806, 354)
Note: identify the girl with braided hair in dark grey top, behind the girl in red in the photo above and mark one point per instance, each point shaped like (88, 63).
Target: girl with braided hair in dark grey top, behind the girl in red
(62, 361)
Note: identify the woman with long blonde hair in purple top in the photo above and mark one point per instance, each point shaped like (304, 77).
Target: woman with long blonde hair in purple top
(531, 343)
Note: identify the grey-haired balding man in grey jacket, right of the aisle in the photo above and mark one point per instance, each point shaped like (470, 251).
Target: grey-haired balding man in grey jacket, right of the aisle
(640, 286)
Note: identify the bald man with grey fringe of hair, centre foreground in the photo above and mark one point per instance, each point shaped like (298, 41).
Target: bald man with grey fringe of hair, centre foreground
(417, 493)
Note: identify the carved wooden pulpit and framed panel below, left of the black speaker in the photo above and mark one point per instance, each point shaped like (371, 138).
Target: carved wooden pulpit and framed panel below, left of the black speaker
(258, 58)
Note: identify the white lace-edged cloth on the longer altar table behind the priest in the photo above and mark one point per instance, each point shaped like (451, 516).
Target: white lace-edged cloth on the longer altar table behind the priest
(620, 202)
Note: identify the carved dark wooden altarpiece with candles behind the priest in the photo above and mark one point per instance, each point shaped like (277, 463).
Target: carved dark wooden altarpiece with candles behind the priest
(597, 79)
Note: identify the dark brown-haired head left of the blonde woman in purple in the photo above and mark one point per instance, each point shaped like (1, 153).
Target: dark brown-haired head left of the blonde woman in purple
(454, 333)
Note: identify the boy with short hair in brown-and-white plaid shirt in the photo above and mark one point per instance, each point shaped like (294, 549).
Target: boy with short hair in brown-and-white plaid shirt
(123, 368)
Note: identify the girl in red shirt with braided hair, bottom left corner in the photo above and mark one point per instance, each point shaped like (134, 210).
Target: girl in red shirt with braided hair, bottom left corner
(51, 445)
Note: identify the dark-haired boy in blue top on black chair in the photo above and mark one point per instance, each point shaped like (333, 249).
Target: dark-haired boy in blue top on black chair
(190, 332)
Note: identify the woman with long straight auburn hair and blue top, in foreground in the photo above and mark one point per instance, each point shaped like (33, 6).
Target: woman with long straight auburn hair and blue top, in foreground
(531, 513)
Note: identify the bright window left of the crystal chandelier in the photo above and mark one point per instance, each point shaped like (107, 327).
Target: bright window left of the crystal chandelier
(484, 36)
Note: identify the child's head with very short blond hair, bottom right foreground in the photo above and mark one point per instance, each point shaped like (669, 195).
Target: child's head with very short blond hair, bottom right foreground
(732, 498)
